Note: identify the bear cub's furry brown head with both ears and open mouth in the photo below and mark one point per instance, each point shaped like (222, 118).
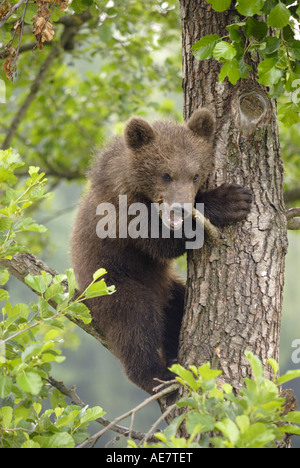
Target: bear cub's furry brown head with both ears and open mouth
(169, 162)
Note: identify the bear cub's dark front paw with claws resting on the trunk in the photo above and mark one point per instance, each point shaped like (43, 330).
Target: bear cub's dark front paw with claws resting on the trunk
(226, 204)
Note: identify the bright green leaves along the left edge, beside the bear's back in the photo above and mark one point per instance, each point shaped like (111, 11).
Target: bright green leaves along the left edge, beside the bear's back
(30, 334)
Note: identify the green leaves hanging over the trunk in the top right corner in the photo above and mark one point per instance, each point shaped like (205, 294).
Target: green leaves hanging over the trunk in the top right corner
(266, 29)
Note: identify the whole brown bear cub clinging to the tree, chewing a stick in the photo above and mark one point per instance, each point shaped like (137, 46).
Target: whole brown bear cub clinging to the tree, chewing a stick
(163, 162)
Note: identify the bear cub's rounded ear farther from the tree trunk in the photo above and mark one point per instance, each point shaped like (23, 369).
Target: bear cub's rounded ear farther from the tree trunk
(138, 133)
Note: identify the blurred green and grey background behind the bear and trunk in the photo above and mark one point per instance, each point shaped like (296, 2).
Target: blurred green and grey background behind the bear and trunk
(127, 62)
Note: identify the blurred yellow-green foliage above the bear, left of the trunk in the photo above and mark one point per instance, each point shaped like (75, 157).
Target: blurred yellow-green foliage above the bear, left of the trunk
(122, 54)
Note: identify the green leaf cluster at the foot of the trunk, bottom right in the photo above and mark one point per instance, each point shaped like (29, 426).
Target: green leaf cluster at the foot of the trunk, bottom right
(217, 418)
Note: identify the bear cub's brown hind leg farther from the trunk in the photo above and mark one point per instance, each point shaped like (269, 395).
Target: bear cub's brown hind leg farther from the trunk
(136, 336)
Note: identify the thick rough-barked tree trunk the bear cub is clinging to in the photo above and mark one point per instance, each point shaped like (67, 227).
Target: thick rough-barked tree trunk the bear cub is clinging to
(235, 286)
